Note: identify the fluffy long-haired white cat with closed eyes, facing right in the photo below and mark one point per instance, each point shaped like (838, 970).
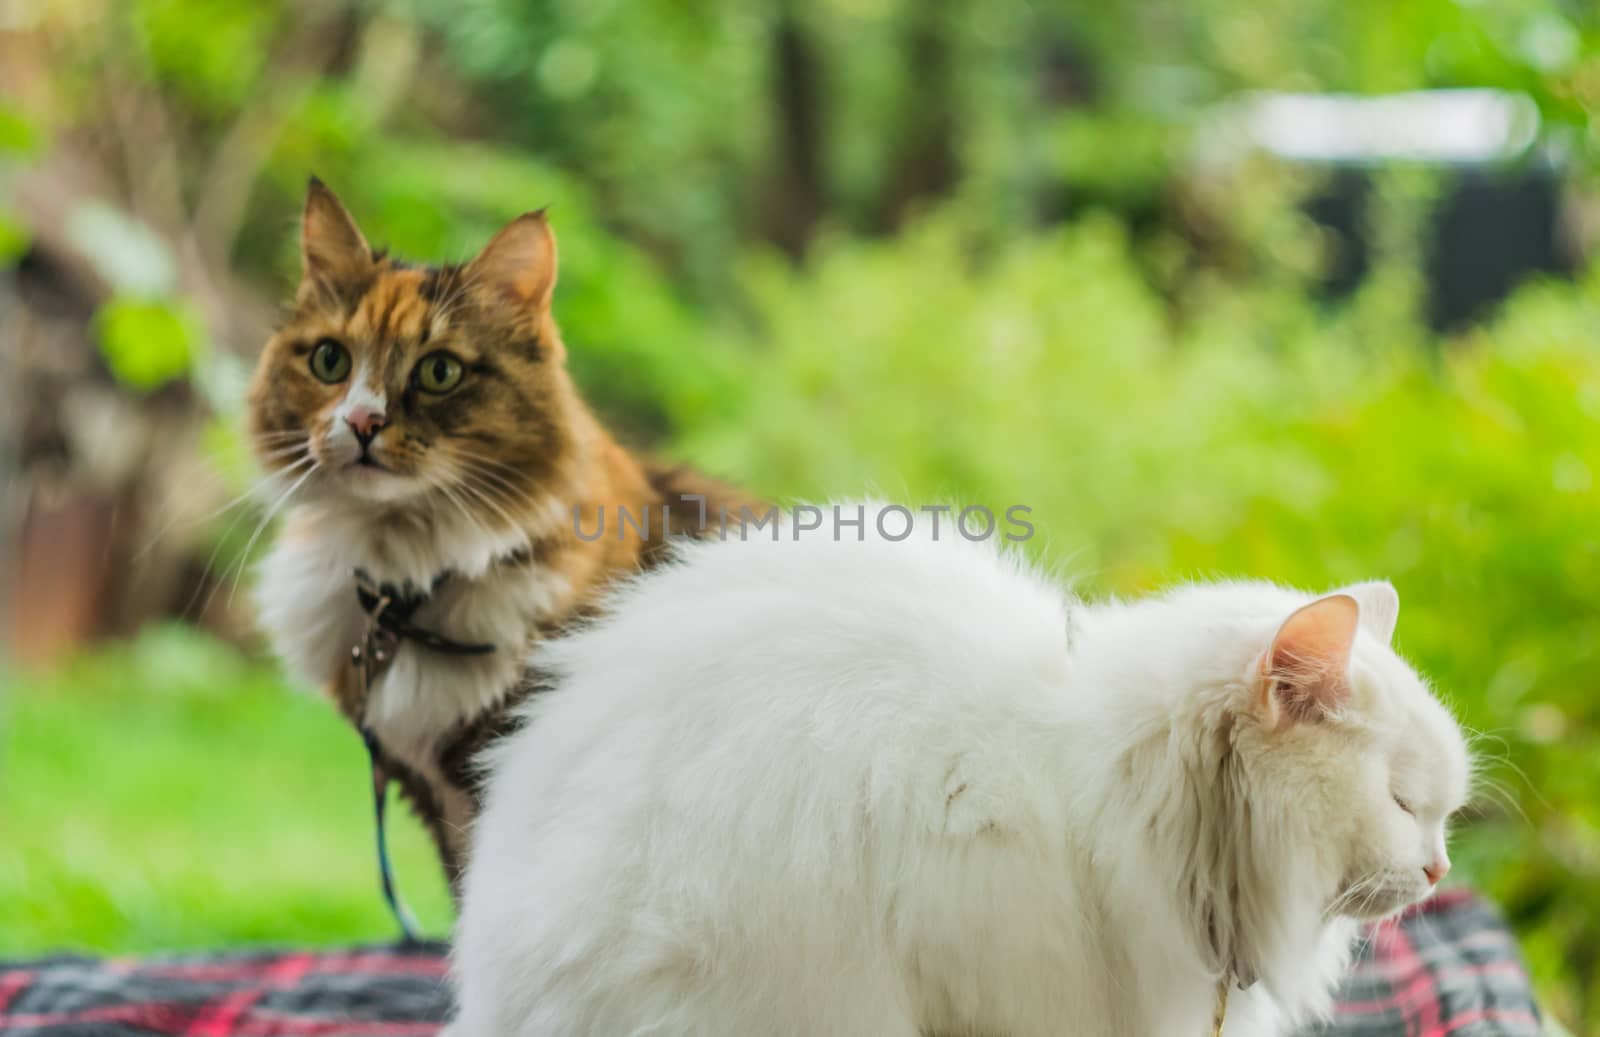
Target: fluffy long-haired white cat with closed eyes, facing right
(910, 788)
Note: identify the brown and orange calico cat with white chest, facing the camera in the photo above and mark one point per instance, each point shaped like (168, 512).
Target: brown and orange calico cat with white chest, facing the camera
(430, 449)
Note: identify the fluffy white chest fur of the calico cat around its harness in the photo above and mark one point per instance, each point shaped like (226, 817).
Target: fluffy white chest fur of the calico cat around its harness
(478, 591)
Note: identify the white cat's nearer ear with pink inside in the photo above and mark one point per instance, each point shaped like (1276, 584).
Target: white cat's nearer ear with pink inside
(1305, 675)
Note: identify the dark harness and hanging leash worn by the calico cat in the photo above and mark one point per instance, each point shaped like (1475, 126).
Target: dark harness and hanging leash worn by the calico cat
(390, 614)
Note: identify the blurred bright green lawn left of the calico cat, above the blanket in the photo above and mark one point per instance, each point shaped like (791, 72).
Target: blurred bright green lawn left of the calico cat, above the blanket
(172, 795)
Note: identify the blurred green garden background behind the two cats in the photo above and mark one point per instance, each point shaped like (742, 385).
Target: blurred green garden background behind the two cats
(1292, 289)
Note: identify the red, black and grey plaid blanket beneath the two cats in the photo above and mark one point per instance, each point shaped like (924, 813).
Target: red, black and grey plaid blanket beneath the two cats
(1447, 967)
